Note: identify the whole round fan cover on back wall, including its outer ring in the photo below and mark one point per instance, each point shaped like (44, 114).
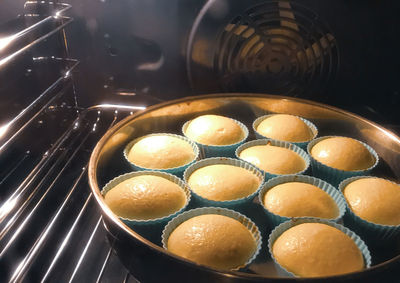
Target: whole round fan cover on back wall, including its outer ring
(277, 47)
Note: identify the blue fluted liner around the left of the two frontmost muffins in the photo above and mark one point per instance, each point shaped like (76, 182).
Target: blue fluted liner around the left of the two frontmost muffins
(170, 227)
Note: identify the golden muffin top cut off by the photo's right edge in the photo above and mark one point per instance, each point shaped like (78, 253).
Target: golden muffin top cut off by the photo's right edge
(374, 199)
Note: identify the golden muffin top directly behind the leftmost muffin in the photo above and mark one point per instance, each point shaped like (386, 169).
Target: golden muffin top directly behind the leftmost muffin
(161, 152)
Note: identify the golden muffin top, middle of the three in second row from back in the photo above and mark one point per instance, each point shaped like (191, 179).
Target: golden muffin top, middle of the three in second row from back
(274, 159)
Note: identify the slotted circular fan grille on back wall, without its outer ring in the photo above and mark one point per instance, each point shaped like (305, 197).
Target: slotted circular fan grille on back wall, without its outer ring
(276, 47)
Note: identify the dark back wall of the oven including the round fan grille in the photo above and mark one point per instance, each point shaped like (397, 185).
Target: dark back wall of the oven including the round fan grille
(181, 47)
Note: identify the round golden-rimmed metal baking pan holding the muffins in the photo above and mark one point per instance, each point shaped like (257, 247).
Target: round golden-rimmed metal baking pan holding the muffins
(148, 262)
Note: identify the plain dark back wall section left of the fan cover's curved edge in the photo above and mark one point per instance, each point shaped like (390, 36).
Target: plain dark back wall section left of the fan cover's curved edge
(131, 47)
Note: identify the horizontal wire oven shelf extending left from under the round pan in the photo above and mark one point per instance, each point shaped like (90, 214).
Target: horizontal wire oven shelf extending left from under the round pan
(50, 228)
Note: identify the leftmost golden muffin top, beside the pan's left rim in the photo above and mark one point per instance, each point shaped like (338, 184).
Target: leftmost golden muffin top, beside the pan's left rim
(145, 197)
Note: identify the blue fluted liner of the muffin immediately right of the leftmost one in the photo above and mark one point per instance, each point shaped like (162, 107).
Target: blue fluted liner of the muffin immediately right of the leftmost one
(240, 204)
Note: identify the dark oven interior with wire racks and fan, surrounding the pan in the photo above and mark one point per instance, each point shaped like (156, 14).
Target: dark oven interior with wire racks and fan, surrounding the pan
(71, 70)
